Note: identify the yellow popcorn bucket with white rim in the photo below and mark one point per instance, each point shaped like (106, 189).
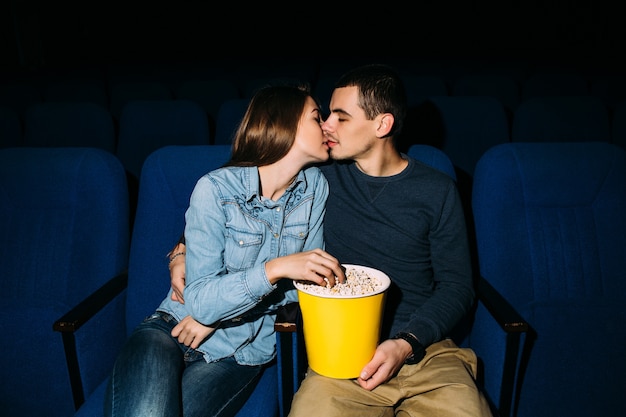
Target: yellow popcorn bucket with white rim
(341, 332)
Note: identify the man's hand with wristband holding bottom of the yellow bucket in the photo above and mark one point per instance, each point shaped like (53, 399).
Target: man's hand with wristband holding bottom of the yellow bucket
(387, 361)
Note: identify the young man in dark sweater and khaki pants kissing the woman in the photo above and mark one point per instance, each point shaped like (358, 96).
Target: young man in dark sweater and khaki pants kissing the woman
(392, 213)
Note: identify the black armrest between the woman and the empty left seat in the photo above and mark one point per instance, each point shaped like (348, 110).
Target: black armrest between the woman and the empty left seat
(80, 314)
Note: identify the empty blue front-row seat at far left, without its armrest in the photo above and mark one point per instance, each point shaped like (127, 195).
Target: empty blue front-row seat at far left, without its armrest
(64, 232)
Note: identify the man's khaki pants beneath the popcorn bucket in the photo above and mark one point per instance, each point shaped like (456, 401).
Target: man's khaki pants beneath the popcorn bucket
(441, 385)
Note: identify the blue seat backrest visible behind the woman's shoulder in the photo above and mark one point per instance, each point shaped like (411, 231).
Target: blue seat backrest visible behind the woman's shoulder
(167, 179)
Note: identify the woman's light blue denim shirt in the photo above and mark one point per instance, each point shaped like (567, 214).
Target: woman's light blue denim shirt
(230, 232)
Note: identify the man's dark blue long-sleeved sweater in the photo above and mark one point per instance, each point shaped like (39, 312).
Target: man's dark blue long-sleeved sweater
(412, 227)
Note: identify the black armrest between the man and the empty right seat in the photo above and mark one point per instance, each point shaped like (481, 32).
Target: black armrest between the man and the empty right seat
(514, 326)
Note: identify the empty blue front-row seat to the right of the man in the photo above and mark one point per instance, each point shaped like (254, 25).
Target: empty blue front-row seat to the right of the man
(550, 229)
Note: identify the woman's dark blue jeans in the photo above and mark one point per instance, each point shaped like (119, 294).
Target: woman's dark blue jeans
(155, 375)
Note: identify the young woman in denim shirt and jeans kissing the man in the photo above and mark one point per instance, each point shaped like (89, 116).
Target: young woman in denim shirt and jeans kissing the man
(250, 224)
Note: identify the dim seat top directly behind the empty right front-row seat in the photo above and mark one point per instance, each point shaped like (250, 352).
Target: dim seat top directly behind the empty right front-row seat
(561, 119)
